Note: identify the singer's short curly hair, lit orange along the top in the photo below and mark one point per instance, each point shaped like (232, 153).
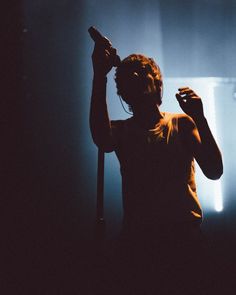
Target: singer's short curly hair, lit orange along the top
(132, 77)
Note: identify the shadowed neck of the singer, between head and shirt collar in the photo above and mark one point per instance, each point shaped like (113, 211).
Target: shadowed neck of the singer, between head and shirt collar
(148, 119)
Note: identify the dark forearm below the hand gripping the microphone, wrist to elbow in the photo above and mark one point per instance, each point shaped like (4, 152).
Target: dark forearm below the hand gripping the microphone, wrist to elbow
(99, 118)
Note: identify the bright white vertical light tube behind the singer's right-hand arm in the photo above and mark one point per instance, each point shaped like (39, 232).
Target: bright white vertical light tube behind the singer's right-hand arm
(218, 199)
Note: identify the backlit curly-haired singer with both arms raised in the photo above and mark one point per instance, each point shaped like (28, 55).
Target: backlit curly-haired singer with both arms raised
(161, 239)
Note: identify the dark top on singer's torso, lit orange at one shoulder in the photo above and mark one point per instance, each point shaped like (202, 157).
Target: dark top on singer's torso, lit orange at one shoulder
(158, 174)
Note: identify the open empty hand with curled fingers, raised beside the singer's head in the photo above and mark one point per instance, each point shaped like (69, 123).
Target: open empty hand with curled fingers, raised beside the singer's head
(190, 102)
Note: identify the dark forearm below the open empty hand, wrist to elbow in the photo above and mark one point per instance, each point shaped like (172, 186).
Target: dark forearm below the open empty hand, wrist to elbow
(211, 159)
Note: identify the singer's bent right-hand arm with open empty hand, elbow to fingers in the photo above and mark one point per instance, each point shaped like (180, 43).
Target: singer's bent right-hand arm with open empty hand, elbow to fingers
(199, 139)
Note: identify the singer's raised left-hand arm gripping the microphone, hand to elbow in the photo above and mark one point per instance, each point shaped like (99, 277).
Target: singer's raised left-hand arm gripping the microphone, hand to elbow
(99, 119)
